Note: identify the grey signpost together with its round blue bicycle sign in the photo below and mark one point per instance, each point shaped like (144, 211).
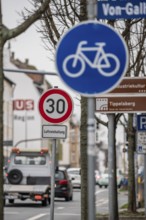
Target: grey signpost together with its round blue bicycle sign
(91, 77)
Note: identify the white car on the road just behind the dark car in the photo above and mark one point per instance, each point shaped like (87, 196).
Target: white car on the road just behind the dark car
(75, 176)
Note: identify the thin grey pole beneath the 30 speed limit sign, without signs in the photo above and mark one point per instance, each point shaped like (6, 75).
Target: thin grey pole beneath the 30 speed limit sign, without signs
(53, 178)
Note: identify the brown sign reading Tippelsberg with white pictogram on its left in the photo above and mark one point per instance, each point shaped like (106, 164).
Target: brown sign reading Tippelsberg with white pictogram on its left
(121, 104)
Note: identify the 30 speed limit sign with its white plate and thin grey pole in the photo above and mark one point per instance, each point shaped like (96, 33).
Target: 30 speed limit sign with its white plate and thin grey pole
(55, 106)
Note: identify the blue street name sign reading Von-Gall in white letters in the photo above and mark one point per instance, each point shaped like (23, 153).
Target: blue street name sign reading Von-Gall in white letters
(108, 9)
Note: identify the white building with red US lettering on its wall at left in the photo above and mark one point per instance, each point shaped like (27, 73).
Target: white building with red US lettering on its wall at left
(21, 114)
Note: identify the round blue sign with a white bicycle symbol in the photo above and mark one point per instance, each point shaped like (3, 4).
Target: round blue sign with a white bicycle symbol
(92, 58)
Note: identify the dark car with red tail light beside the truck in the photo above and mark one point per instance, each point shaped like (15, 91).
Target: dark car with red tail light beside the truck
(63, 184)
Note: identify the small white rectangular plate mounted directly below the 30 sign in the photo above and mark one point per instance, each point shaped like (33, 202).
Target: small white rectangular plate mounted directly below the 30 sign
(54, 131)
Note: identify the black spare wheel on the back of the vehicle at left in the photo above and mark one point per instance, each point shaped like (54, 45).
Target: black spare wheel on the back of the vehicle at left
(15, 176)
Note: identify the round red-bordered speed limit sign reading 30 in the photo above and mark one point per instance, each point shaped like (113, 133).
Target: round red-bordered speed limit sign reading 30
(55, 106)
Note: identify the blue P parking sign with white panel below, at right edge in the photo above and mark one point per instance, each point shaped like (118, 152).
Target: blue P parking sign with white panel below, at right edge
(141, 134)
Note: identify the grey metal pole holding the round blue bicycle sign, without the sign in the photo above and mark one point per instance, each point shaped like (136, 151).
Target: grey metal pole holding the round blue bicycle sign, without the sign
(92, 10)
